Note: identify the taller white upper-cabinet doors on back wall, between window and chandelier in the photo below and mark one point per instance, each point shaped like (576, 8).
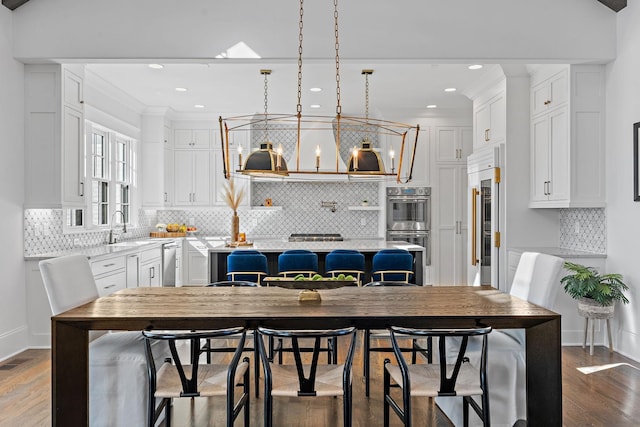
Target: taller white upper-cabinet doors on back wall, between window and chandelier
(192, 177)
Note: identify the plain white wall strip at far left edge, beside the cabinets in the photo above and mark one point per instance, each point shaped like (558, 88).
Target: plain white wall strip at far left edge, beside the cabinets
(13, 308)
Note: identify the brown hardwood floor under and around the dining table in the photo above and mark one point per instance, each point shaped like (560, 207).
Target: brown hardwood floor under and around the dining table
(605, 398)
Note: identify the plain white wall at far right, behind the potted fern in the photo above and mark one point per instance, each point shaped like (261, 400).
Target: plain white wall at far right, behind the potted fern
(623, 214)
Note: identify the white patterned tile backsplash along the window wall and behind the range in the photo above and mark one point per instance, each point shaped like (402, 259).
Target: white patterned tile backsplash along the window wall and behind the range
(300, 213)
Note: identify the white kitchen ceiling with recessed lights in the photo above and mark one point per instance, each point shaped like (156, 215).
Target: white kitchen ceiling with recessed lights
(396, 90)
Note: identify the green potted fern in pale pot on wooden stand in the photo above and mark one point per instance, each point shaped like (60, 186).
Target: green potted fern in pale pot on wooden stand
(596, 293)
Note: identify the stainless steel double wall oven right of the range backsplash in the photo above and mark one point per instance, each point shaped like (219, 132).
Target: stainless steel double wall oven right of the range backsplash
(409, 216)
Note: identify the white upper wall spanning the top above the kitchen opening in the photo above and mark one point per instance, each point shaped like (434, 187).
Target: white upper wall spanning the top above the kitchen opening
(567, 30)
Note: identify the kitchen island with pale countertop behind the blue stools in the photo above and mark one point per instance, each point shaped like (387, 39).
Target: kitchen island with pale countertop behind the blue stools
(272, 248)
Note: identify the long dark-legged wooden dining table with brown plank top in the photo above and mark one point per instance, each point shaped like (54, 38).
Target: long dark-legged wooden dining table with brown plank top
(372, 307)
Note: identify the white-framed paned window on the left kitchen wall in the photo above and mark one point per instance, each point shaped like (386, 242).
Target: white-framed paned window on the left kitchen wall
(111, 163)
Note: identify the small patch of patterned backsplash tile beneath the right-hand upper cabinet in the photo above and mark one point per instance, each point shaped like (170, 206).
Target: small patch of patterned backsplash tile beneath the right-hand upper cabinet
(584, 229)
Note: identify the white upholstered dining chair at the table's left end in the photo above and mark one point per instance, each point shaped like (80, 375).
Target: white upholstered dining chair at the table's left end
(117, 361)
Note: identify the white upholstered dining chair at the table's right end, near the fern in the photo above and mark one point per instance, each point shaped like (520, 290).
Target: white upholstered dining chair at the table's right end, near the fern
(536, 280)
